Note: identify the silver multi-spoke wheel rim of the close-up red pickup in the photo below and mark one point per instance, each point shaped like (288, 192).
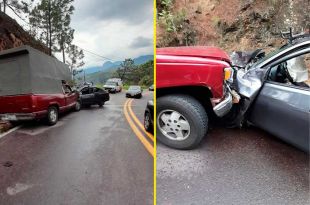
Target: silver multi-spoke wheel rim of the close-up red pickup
(173, 125)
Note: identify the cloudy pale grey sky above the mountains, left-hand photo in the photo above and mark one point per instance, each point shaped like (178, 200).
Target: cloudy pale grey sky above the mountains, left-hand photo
(115, 29)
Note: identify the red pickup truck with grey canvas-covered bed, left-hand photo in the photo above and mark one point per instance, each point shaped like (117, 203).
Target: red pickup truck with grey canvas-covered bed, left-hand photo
(32, 86)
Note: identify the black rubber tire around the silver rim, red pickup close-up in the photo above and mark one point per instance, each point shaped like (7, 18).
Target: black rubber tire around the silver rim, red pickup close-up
(193, 111)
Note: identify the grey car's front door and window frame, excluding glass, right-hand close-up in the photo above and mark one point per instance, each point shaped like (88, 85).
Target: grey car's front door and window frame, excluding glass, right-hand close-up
(283, 109)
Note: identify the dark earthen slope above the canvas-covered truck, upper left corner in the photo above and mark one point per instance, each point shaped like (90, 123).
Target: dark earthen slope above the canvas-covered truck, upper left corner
(13, 35)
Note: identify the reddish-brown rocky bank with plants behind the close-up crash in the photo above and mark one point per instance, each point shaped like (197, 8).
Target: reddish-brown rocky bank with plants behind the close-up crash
(234, 24)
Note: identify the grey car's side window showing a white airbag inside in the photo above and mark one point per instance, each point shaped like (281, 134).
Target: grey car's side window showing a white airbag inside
(294, 71)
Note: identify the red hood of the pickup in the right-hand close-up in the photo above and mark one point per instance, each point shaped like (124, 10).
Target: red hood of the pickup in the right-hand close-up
(195, 51)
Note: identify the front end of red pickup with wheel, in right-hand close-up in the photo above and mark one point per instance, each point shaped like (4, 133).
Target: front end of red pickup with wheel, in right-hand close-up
(192, 86)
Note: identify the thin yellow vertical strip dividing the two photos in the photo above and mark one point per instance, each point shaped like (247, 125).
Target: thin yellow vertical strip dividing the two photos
(155, 154)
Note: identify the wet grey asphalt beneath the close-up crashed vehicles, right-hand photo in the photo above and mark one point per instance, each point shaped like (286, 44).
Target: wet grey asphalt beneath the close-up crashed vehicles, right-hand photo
(234, 166)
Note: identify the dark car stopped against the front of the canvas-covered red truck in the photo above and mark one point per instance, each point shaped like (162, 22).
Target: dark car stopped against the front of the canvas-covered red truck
(93, 96)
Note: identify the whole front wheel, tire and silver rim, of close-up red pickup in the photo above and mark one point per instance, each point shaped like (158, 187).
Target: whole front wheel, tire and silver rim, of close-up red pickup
(182, 121)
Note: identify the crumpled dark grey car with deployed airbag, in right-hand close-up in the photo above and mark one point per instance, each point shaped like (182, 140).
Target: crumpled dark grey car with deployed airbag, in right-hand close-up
(275, 93)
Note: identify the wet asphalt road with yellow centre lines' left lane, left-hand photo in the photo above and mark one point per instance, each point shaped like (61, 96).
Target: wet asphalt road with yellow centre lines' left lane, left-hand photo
(88, 157)
